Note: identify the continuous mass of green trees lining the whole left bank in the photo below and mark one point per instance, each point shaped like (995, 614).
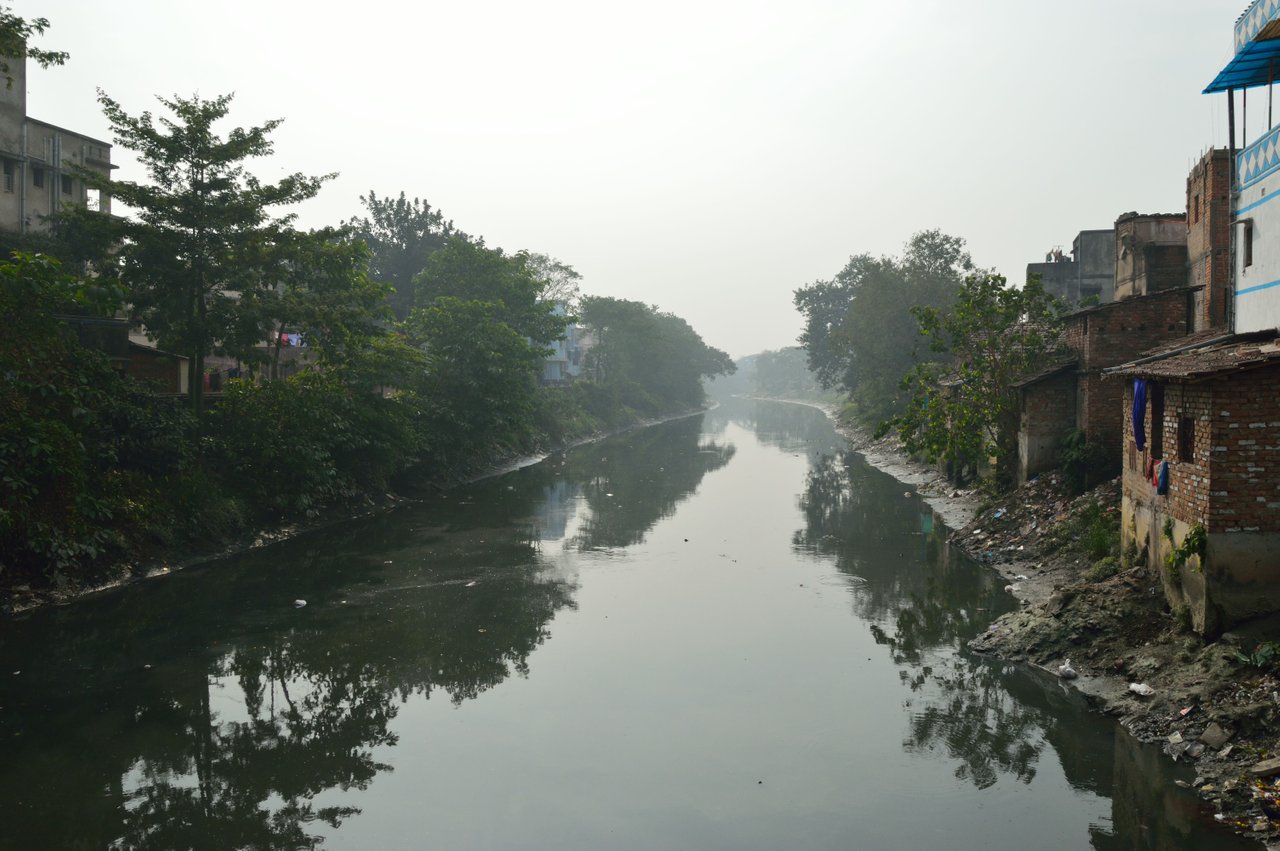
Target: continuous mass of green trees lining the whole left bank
(424, 353)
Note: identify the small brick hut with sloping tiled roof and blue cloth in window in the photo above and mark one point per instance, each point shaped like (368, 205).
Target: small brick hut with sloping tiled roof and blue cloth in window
(1213, 417)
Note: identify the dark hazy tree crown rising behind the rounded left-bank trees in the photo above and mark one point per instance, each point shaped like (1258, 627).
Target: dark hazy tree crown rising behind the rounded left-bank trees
(401, 236)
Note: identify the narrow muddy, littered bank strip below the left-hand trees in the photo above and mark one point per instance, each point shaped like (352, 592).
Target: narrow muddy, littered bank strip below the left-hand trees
(19, 598)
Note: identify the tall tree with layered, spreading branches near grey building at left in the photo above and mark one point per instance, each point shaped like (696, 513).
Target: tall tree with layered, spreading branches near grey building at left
(203, 237)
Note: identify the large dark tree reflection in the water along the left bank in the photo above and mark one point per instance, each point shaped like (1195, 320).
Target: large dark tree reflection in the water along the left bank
(204, 711)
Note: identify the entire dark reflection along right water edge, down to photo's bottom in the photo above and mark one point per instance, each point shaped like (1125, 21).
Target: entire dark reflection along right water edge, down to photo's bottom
(989, 720)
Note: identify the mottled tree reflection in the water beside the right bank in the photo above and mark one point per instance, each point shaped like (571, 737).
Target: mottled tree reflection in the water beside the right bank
(922, 605)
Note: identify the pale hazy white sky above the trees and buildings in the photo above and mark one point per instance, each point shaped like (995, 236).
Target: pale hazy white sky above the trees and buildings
(705, 157)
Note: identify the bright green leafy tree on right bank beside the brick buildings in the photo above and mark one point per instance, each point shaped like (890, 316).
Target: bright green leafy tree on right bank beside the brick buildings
(964, 409)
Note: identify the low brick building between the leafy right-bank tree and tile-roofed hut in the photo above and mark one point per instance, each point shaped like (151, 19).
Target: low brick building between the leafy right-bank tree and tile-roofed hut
(1096, 338)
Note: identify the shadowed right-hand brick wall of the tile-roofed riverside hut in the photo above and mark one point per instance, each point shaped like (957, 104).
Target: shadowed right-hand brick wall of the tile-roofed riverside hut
(1246, 452)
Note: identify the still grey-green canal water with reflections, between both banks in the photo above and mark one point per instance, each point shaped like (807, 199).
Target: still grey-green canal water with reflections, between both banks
(720, 633)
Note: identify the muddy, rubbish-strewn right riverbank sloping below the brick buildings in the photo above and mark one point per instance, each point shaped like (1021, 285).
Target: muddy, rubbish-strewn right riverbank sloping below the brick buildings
(1205, 706)
